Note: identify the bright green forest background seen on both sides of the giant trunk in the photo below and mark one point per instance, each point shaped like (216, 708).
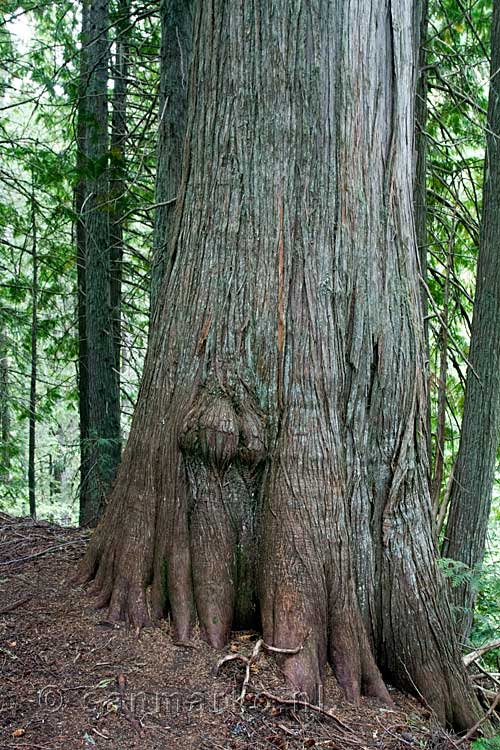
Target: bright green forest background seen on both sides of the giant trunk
(40, 92)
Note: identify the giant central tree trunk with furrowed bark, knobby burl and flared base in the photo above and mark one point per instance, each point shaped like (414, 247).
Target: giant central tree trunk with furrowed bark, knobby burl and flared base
(277, 464)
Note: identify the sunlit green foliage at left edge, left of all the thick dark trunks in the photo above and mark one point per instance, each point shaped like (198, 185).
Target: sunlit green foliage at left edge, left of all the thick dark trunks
(32, 105)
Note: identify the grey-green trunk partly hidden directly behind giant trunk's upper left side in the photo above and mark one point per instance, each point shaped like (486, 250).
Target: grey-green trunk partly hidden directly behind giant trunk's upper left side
(176, 51)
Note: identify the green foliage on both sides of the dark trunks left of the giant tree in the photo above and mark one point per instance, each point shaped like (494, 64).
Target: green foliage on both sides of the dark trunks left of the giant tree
(39, 88)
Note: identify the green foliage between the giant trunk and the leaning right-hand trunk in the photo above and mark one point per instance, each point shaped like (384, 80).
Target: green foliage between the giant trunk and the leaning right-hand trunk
(458, 71)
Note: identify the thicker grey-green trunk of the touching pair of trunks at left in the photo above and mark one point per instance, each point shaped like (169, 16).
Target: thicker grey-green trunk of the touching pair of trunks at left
(103, 381)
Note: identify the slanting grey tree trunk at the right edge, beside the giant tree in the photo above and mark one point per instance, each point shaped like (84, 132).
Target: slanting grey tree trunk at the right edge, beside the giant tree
(474, 471)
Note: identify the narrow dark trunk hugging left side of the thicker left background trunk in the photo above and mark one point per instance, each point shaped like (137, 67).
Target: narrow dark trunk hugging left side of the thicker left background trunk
(80, 195)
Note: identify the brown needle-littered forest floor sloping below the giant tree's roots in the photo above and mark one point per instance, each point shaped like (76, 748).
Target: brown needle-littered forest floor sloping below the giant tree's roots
(69, 679)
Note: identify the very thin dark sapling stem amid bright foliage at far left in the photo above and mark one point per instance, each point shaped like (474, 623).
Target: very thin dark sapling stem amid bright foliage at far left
(34, 360)
